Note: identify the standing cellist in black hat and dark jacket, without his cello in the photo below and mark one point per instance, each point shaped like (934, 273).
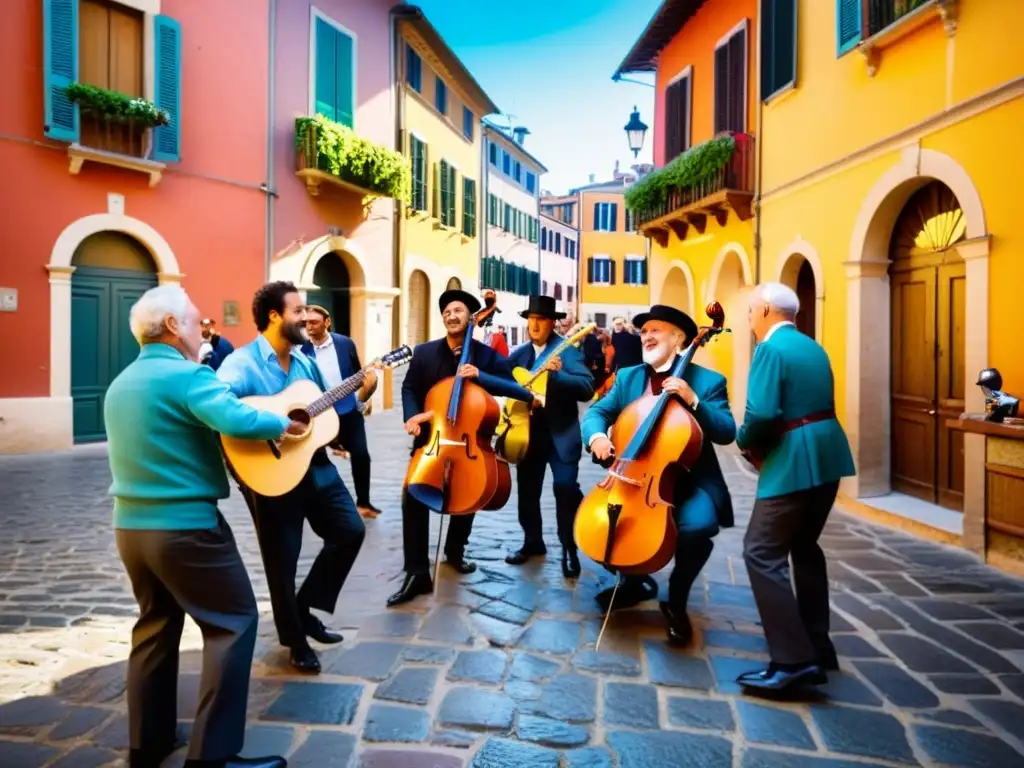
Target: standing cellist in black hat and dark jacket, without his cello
(432, 363)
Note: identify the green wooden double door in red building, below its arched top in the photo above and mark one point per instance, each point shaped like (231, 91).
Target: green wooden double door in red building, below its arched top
(102, 345)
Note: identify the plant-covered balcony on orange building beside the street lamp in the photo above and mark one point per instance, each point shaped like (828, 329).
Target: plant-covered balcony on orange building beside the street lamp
(709, 180)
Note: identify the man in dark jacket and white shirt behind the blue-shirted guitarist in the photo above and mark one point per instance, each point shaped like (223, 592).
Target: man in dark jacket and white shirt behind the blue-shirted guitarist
(338, 359)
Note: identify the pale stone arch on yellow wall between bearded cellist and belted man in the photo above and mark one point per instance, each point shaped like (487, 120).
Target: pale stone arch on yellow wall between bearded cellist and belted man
(736, 306)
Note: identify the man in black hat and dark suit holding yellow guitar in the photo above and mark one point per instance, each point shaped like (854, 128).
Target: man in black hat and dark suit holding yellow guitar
(554, 435)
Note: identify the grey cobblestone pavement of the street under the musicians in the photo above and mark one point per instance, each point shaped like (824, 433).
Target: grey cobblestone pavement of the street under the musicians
(499, 668)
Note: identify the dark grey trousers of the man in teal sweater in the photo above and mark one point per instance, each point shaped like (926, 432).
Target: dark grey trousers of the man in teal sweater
(199, 573)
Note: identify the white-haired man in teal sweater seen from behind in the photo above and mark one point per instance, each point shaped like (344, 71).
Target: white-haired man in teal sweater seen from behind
(163, 414)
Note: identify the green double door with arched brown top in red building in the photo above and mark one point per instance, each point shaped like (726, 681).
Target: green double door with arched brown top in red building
(112, 272)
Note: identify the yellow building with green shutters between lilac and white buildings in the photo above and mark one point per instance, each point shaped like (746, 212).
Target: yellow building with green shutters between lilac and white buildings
(441, 107)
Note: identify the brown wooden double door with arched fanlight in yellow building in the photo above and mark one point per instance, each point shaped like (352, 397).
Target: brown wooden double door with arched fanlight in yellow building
(929, 303)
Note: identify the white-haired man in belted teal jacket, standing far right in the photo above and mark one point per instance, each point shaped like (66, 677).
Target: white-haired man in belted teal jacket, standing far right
(791, 421)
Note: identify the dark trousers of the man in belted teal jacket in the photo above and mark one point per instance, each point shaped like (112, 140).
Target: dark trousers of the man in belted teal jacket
(788, 527)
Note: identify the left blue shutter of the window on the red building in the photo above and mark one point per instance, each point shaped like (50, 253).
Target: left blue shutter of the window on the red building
(60, 69)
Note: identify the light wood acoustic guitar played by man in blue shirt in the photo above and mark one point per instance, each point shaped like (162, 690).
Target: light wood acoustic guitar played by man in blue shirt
(272, 467)
